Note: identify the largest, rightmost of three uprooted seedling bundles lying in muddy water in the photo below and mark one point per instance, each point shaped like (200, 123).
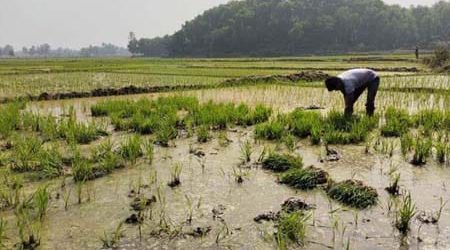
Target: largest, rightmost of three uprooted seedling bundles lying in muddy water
(354, 194)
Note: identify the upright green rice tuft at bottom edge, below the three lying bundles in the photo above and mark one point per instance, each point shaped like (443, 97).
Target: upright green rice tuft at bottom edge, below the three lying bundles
(292, 227)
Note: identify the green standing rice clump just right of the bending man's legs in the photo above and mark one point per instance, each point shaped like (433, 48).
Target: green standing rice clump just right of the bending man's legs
(397, 122)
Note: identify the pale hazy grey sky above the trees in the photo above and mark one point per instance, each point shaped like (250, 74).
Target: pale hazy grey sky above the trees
(79, 23)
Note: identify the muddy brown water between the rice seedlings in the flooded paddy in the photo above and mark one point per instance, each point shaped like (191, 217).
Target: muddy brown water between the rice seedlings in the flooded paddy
(213, 187)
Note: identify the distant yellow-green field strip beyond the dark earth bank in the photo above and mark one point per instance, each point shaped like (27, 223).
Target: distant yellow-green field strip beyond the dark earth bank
(35, 76)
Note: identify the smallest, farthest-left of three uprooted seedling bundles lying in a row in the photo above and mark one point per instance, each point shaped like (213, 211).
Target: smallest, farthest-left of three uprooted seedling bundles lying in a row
(280, 163)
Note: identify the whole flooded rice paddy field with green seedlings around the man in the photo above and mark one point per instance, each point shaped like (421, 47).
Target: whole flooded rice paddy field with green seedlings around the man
(241, 153)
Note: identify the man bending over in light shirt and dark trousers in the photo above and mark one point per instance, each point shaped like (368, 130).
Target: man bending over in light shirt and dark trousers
(352, 84)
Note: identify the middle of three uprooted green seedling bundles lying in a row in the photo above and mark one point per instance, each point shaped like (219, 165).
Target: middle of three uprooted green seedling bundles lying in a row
(304, 178)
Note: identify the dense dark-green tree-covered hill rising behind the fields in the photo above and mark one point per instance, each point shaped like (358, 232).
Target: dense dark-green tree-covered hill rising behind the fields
(296, 27)
